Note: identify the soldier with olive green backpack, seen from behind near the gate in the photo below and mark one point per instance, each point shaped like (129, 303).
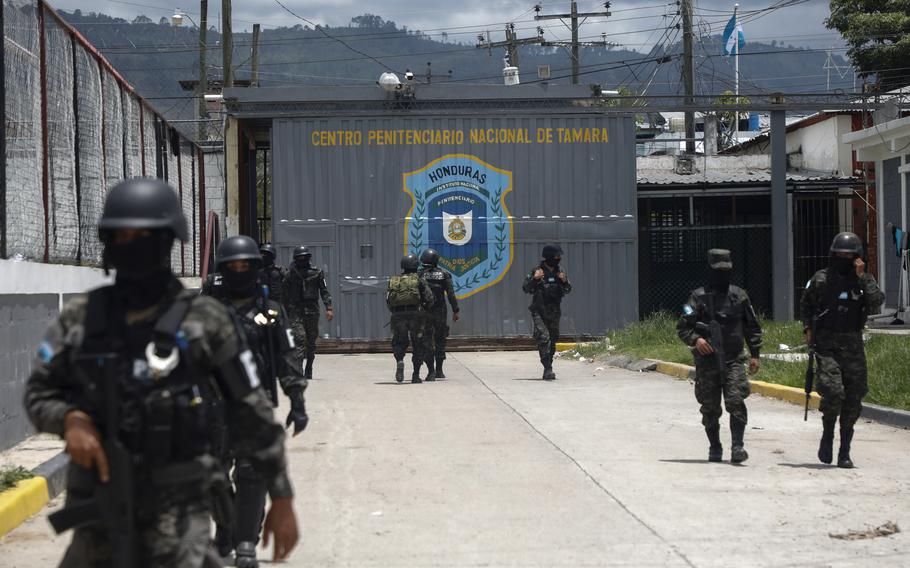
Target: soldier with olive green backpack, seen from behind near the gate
(409, 299)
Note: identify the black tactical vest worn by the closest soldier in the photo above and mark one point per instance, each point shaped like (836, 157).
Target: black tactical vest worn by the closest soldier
(163, 414)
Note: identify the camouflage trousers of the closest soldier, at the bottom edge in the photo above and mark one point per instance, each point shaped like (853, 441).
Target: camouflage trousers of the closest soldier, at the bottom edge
(178, 535)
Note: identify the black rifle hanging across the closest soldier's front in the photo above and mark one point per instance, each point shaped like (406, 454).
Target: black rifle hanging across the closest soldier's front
(112, 503)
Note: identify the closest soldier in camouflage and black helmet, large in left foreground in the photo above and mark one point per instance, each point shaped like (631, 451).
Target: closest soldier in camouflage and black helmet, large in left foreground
(168, 351)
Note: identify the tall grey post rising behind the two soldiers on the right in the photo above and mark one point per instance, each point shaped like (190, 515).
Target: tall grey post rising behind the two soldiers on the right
(782, 267)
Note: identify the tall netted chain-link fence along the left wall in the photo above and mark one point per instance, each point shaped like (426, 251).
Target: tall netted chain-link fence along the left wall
(74, 128)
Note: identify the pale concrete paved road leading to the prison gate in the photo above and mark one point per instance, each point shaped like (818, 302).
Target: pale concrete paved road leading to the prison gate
(493, 467)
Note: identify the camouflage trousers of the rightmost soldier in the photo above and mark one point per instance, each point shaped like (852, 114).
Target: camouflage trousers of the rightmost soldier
(841, 376)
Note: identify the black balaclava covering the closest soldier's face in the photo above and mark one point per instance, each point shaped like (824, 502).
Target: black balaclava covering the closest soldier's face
(143, 275)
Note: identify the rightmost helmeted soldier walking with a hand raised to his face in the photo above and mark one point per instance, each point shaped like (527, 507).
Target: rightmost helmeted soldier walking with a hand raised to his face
(834, 308)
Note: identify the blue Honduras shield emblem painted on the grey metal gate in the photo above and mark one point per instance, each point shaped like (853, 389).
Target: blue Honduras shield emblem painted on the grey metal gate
(459, 209)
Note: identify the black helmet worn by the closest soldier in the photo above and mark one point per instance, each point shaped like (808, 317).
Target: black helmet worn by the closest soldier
(143, 203)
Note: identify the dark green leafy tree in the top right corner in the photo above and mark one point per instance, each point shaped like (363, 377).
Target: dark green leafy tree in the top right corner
(878, 35)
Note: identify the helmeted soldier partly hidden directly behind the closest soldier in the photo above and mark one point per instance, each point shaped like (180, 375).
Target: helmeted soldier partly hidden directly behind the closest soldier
(263, 323)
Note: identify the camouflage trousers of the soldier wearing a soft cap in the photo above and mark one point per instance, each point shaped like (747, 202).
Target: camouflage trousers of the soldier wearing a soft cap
(711, 386)
